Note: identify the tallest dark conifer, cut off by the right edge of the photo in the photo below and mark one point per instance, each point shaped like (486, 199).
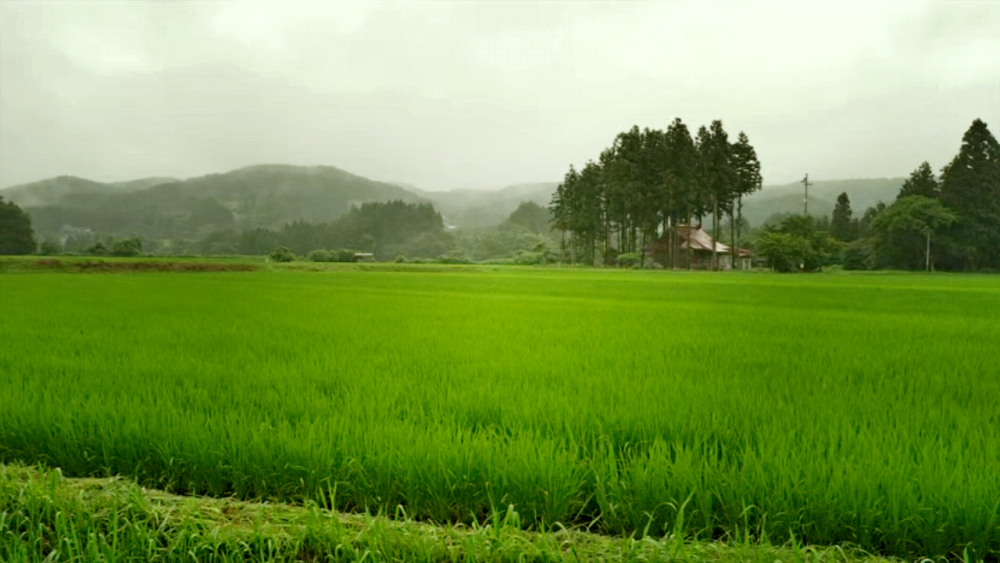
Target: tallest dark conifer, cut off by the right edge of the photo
(970, 185)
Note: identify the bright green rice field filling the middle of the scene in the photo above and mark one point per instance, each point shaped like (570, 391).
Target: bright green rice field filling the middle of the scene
(834, 409)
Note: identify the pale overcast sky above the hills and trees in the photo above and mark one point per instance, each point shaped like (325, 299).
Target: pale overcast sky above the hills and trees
(449, 94)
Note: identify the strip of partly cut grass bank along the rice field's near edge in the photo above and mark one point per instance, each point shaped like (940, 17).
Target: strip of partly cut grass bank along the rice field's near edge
(46, 518)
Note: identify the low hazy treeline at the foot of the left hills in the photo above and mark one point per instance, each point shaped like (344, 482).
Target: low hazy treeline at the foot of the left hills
(391, 231)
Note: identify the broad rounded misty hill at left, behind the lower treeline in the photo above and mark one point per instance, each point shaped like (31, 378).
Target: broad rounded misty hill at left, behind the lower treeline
(255, 196)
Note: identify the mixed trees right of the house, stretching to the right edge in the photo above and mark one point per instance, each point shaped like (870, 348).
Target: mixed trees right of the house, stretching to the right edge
(951, 222)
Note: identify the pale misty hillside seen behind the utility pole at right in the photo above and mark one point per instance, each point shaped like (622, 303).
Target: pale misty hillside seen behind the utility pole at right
(787, 198)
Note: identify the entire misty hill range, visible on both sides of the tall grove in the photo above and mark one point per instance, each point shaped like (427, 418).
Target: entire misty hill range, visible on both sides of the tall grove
(271, 195)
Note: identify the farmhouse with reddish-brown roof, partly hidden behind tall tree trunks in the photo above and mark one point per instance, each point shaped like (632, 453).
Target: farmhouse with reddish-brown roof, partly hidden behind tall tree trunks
(691, 241)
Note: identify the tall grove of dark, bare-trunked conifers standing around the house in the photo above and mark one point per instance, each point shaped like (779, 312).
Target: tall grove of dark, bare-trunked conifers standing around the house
(649, 181)
